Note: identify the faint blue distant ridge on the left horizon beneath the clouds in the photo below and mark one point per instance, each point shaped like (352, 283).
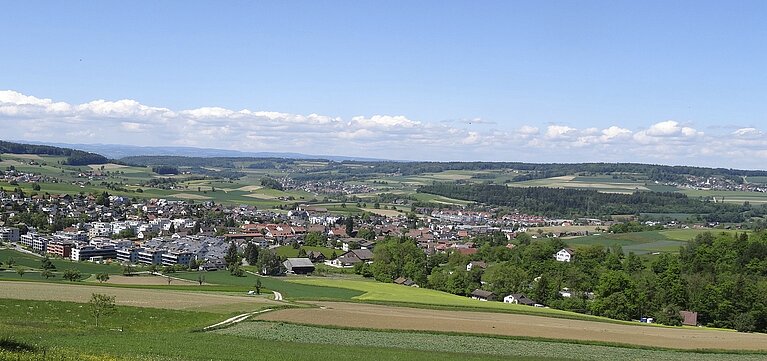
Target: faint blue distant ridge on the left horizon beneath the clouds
(117, 151)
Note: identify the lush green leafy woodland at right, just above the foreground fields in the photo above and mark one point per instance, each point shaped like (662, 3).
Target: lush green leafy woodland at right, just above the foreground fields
(722, 277)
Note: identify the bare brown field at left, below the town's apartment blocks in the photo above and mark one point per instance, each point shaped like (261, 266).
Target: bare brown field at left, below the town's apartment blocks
(175, 300)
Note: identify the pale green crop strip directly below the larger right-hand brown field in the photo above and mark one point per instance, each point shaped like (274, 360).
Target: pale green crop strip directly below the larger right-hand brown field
(462, 343)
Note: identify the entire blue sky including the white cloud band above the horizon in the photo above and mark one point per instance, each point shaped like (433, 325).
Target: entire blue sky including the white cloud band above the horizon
(669, 82)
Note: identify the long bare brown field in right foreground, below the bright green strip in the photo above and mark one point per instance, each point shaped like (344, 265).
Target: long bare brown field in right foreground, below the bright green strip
(401, 318)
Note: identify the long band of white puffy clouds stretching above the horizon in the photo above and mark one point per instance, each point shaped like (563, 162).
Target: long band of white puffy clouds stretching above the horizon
(26, 117)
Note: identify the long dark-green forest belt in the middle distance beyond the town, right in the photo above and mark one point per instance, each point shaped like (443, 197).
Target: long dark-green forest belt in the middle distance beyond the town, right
(557, 202)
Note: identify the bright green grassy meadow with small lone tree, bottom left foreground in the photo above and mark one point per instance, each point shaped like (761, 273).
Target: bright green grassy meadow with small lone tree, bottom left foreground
(65, 331)
